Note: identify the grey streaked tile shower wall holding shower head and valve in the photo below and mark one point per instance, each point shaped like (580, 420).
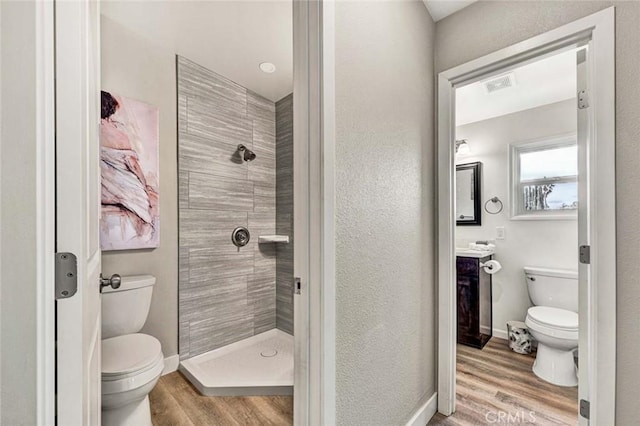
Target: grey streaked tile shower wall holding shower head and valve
(226, 294)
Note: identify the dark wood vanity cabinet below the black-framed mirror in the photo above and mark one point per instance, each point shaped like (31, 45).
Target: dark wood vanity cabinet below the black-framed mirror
(474, 310)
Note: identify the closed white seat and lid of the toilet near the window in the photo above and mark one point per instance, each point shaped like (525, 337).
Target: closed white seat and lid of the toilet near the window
(554, 322)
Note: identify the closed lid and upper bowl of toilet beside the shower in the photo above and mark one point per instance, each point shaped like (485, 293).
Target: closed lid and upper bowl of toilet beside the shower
(129, 362)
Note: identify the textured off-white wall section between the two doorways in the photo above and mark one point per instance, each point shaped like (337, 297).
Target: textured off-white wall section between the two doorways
(385, 343)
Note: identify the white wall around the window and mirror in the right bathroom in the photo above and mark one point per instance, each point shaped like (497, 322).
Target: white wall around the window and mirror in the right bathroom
(547, 243)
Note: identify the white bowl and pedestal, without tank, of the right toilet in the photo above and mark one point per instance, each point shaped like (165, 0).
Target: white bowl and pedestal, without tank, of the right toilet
(556, 331)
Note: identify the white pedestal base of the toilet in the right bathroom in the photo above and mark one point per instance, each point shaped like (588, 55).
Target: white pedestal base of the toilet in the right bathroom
(555, 366)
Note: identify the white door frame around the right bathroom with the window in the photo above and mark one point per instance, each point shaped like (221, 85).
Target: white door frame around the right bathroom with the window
(598, 30)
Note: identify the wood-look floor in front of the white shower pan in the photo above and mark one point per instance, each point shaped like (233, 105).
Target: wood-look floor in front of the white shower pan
(175, 402)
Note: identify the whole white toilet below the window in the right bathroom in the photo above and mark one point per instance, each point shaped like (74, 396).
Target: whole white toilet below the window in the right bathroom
(553, 322)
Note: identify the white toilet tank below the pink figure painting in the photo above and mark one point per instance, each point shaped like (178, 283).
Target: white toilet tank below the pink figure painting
(125, 309)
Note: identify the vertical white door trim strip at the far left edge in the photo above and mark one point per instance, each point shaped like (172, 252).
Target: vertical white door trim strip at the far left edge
(45, 246)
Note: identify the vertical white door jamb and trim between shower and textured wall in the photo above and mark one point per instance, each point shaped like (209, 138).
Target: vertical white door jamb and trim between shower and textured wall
(314, 252)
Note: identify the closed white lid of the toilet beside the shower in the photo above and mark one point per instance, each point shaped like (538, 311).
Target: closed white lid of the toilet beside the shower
(129, 353)
